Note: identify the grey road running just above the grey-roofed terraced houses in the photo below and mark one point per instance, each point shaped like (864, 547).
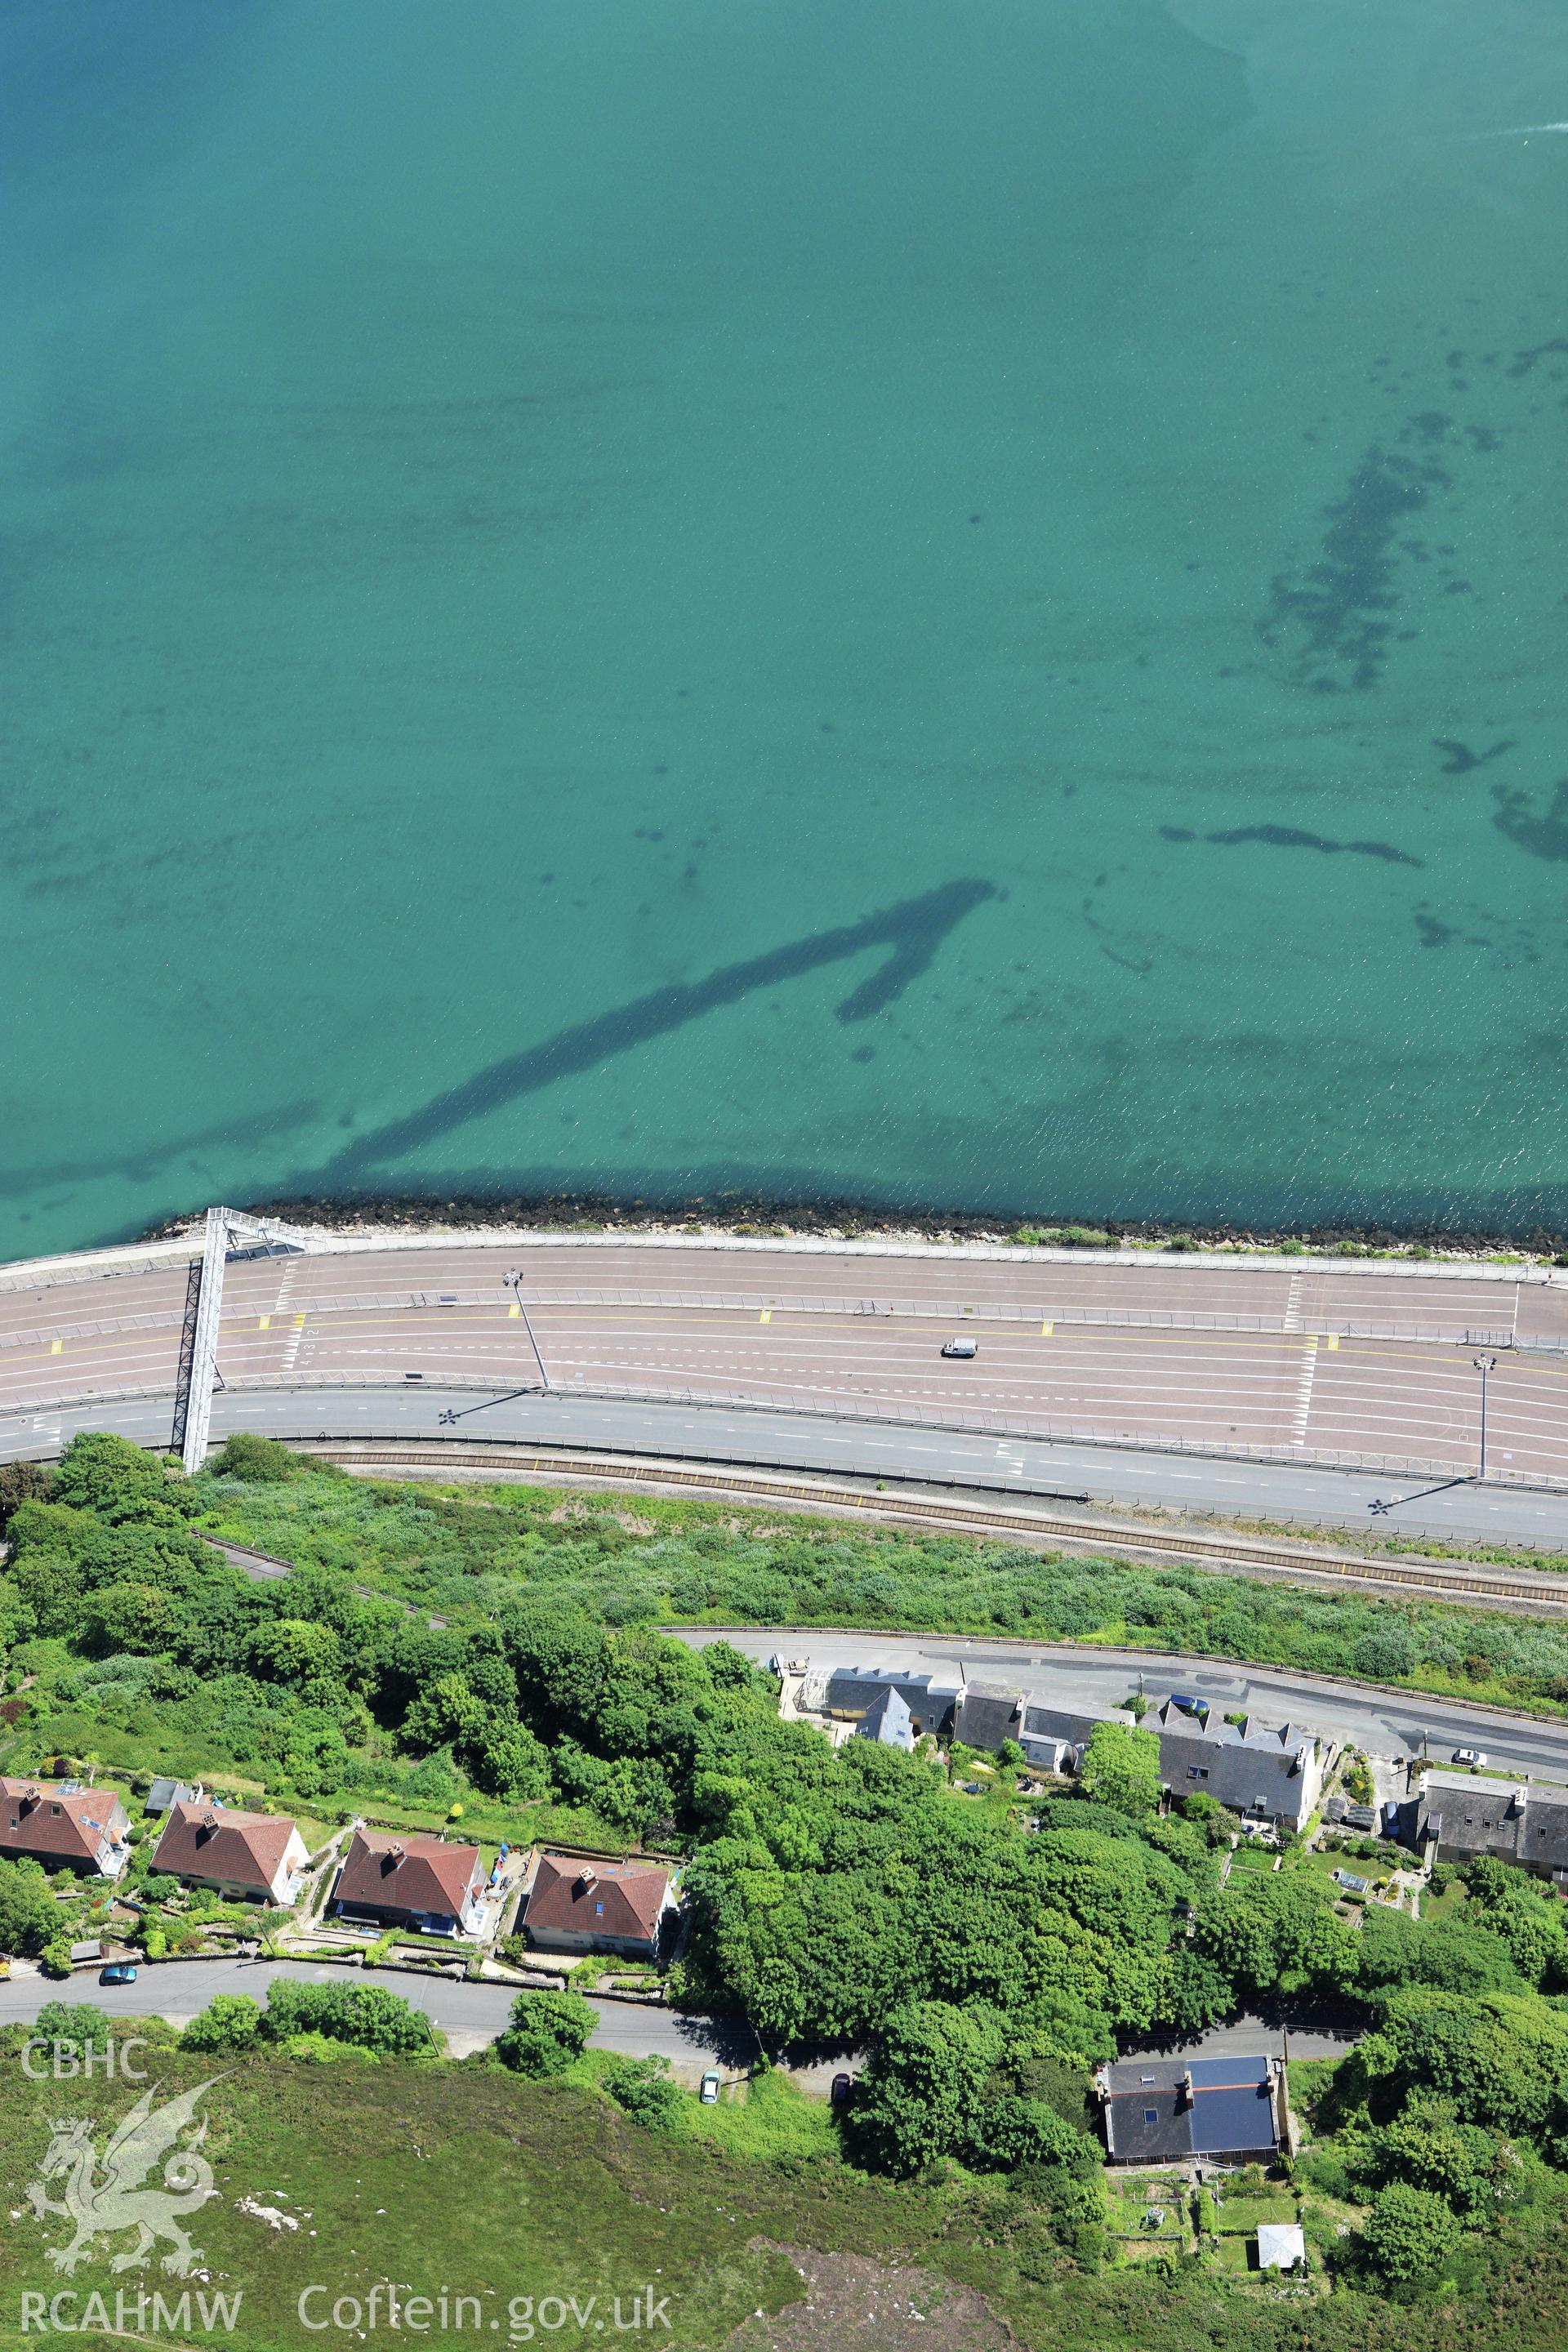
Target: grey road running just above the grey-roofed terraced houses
(1068, 1678)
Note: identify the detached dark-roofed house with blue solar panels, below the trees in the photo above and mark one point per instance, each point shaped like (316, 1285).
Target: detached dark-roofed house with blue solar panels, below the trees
(1162, 2111)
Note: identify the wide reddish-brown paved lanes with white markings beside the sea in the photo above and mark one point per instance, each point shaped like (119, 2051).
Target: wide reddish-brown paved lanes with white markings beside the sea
(1315, 1363)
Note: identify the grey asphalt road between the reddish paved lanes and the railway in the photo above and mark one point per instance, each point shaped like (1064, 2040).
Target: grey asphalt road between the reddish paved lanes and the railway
(829, 1443)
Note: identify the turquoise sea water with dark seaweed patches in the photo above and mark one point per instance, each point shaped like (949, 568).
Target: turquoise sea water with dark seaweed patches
(953, 606)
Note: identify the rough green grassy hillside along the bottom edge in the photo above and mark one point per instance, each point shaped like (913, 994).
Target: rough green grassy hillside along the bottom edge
(467, 2181)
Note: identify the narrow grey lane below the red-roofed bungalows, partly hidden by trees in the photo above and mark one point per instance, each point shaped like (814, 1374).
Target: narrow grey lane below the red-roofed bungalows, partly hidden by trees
(476, 2014)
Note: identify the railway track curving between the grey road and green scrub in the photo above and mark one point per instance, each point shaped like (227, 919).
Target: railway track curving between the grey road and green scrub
(1271, 1558)
